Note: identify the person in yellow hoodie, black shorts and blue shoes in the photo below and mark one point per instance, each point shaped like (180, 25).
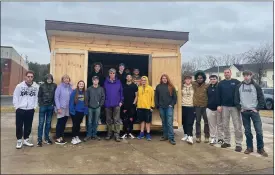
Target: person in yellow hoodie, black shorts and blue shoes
(145, 106)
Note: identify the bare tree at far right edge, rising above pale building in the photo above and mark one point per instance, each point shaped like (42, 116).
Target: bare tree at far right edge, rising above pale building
(260, 56)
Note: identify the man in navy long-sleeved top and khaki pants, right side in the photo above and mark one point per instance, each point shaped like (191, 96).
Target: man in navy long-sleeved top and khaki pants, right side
(227, 107)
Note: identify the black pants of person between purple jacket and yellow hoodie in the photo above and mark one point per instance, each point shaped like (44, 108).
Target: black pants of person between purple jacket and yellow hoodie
(127, 123)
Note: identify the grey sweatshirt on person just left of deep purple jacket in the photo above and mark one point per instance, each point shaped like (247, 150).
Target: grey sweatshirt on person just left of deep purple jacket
(95, 97)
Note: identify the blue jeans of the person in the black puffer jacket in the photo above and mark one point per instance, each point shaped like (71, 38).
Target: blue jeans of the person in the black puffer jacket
(45, 113)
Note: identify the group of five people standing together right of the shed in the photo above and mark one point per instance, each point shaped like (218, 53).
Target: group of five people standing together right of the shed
(216, 102)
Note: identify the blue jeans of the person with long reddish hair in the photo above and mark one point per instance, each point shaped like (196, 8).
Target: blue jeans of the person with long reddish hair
(167, 117)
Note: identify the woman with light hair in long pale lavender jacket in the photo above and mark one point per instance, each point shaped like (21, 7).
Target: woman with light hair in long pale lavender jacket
(62, 99)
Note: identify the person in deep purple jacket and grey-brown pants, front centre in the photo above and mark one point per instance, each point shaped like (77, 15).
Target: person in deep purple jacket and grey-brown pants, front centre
(113, 102)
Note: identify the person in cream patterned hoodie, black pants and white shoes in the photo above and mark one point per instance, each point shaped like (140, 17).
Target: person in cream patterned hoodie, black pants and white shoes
(188, 110)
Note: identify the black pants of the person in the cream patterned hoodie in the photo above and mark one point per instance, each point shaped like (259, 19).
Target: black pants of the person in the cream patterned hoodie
(188, 118)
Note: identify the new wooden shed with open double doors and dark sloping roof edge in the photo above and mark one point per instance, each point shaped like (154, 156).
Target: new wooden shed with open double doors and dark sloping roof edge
(75, 47)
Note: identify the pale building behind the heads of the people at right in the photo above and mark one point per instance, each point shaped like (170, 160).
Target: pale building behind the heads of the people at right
(237, 72)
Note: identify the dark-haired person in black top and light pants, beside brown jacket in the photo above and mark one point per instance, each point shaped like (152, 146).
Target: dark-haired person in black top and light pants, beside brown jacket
(214, 117)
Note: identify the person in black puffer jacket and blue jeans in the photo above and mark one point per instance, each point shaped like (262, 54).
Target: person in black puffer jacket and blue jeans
(46, 104)
